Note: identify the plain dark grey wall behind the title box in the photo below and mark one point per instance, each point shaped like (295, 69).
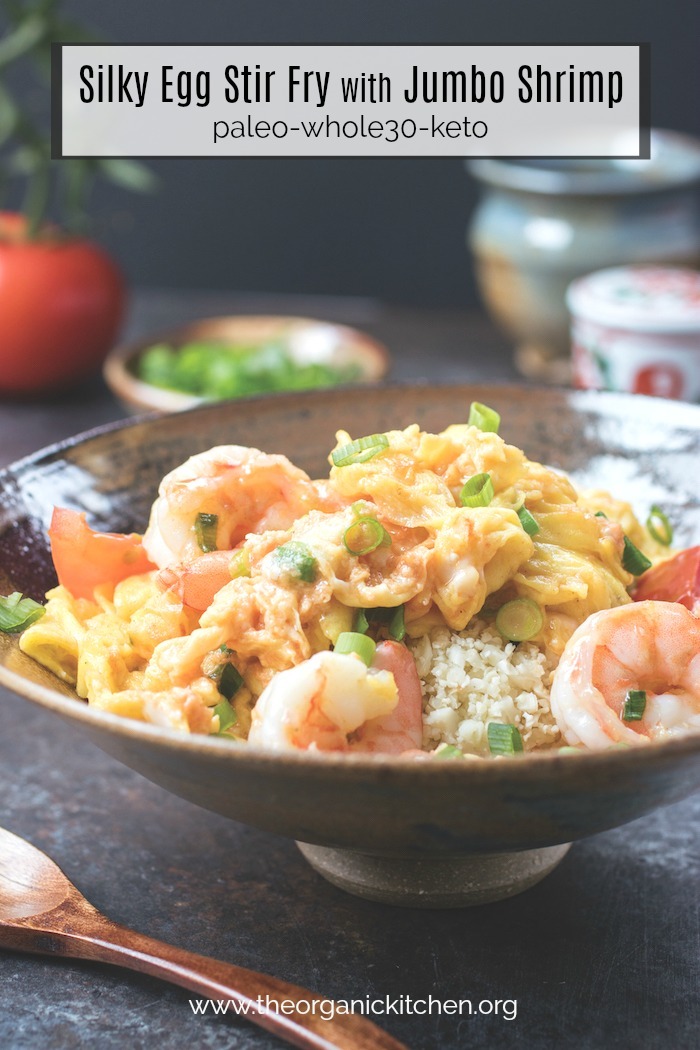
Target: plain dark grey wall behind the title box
(391, 228)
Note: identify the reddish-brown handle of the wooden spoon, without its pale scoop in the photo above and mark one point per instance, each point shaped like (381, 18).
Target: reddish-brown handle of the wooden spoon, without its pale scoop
(303, 1024)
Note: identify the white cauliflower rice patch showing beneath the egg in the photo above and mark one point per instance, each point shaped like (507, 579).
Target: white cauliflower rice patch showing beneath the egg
(473, 678)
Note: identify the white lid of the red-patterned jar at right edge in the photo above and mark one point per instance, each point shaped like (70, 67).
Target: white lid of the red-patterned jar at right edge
(643, 299)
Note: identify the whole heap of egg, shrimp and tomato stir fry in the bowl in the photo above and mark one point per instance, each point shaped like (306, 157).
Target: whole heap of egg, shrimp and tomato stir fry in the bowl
(439, 595)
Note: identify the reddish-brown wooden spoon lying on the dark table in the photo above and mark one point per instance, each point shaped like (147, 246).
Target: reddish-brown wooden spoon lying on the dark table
(43, 912)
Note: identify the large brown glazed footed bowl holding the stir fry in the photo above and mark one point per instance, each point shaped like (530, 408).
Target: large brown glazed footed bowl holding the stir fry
(433, 834)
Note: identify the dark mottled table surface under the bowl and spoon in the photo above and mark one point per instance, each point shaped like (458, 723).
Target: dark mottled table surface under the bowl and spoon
(605, 953)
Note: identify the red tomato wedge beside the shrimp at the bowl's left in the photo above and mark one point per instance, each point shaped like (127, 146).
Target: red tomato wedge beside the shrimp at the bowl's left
(84, 559)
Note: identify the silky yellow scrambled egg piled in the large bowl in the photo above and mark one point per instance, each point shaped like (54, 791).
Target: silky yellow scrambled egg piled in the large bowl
(140, 650)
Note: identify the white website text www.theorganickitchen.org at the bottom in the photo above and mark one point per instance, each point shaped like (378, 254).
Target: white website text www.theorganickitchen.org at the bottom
(378, 1007)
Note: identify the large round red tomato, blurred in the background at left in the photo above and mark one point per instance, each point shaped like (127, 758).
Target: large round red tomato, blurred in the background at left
(61, 306)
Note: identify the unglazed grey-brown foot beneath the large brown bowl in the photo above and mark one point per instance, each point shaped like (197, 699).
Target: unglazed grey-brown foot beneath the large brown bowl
(434, 883)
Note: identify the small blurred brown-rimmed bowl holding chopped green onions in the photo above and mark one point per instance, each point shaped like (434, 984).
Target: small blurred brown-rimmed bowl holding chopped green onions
(308, 342)
